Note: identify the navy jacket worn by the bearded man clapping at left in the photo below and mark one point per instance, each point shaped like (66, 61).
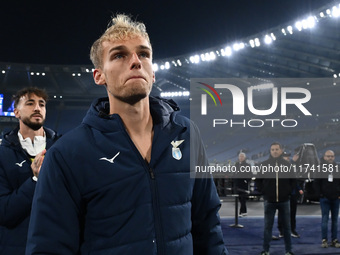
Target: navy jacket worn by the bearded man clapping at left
(16, 192)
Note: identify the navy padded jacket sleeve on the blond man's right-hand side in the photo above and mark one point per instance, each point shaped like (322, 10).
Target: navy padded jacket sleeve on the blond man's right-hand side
(206, 227)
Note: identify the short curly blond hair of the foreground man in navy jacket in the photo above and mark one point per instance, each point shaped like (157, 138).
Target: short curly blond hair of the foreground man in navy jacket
(120, 28)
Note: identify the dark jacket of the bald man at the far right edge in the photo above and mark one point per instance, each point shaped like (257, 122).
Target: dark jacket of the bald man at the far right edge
(323, 187)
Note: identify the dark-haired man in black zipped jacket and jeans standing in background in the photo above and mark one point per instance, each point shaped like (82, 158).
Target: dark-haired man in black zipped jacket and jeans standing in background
(276, 189)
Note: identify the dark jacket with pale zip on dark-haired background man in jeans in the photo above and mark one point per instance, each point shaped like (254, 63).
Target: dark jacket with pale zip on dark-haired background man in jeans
(275, 186)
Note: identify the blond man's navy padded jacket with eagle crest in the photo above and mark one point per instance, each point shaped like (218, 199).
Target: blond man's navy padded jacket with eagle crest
(97, 195)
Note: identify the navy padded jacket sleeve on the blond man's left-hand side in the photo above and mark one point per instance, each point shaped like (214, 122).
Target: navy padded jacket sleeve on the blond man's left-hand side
(54, 224)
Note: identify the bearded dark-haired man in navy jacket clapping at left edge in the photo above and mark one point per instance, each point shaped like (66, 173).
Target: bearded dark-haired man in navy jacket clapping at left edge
(22, 152)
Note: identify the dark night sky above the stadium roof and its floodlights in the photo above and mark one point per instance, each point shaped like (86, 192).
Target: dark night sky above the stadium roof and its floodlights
(62, 32)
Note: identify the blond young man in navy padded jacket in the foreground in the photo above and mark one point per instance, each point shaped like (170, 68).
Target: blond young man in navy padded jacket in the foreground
(120, 182)
